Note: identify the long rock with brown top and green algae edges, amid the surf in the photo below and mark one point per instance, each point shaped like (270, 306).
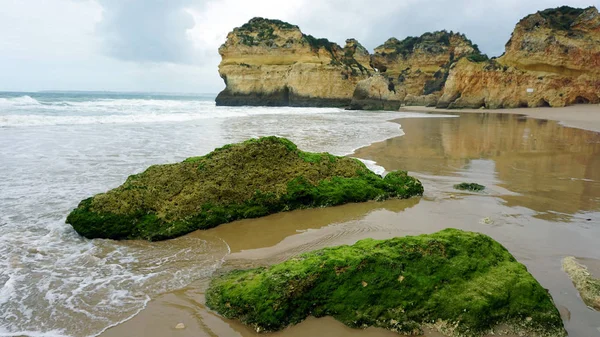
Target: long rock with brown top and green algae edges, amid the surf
(238, 181)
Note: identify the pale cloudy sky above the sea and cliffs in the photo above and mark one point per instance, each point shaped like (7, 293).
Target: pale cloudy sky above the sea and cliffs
(171, 45)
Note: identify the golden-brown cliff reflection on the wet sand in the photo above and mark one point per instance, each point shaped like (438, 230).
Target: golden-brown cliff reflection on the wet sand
(552, 169)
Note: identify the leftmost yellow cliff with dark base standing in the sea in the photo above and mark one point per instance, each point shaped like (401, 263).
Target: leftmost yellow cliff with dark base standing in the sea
(270, 62)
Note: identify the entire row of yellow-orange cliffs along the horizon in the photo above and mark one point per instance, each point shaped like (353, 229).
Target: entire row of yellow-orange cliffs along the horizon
(552, 59)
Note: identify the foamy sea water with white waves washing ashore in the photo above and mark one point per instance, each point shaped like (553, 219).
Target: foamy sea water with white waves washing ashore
(59, 148)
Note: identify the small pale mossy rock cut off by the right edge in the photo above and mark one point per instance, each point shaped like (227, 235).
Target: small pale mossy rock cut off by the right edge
(586, 284)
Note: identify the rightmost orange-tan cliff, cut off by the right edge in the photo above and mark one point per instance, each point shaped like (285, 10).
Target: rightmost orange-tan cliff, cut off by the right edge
(552, 59)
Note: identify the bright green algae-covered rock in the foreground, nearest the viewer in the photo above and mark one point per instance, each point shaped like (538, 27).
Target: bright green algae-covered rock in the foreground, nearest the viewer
(462, 283)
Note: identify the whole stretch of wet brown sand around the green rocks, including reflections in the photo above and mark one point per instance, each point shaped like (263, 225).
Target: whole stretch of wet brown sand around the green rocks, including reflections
(542, 202)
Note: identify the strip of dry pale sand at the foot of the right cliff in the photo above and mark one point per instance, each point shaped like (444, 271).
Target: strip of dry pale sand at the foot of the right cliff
(583, 116)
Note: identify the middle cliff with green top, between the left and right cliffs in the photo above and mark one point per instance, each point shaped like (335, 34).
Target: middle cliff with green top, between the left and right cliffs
(414, 69)
